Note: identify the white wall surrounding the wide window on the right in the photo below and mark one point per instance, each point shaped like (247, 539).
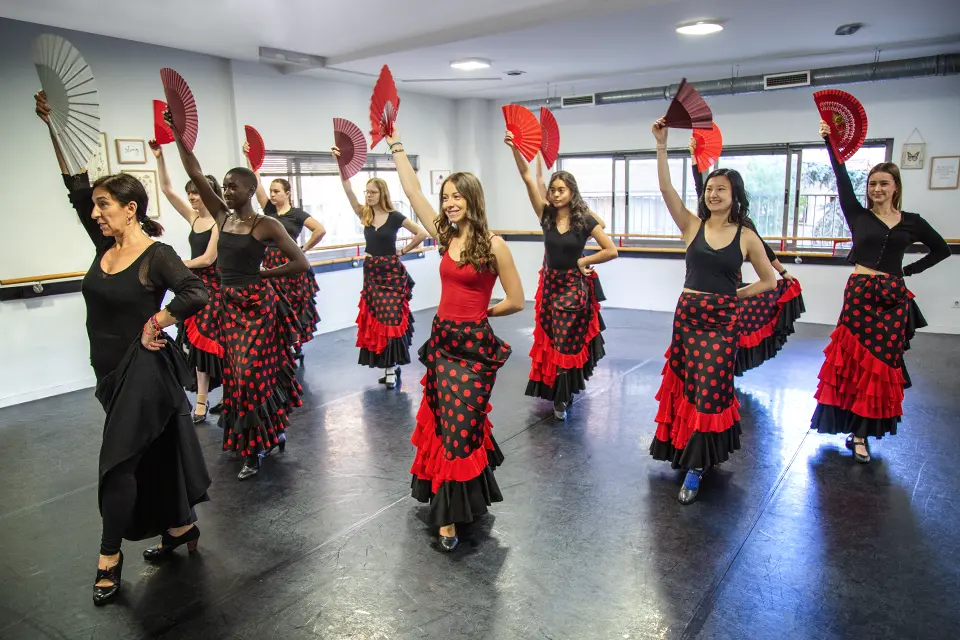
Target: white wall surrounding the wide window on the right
(894, 108)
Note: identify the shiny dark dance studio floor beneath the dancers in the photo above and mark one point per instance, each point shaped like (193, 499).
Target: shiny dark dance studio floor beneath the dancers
(790, 539)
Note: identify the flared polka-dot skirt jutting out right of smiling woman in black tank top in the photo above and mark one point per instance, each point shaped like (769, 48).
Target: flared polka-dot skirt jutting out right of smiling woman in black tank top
(766, 321)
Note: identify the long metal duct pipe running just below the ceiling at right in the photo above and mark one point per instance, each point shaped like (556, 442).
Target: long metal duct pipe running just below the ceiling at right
(938, 65)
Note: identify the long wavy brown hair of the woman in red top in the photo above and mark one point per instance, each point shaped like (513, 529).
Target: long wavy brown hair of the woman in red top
(477, 250)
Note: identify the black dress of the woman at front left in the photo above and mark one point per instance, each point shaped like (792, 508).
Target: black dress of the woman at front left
(142, 391)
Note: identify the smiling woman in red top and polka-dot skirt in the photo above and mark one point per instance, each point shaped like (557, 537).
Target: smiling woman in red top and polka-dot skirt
(456, 452)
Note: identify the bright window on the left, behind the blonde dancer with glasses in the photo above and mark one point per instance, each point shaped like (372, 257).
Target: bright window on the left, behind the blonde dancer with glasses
(316, 188)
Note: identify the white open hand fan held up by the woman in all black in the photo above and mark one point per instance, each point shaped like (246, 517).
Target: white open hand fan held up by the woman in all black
(71, 92)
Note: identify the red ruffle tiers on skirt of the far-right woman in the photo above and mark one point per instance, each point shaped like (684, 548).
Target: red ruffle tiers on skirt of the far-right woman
(854, 379)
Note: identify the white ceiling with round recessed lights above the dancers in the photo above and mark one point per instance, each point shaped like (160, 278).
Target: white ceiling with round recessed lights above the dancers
(563, 46)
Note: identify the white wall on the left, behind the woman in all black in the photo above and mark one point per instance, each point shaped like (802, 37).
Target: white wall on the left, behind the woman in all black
(44, 350)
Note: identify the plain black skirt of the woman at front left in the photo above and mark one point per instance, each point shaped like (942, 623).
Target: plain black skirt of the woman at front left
(148, 415)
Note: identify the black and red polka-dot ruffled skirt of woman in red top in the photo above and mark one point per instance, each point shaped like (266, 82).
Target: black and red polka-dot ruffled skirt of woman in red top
(456, 452)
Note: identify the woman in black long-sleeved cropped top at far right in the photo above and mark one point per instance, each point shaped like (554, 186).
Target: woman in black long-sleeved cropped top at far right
(863, 377)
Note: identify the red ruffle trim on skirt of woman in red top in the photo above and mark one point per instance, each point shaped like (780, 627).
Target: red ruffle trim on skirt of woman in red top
(434, 463)
